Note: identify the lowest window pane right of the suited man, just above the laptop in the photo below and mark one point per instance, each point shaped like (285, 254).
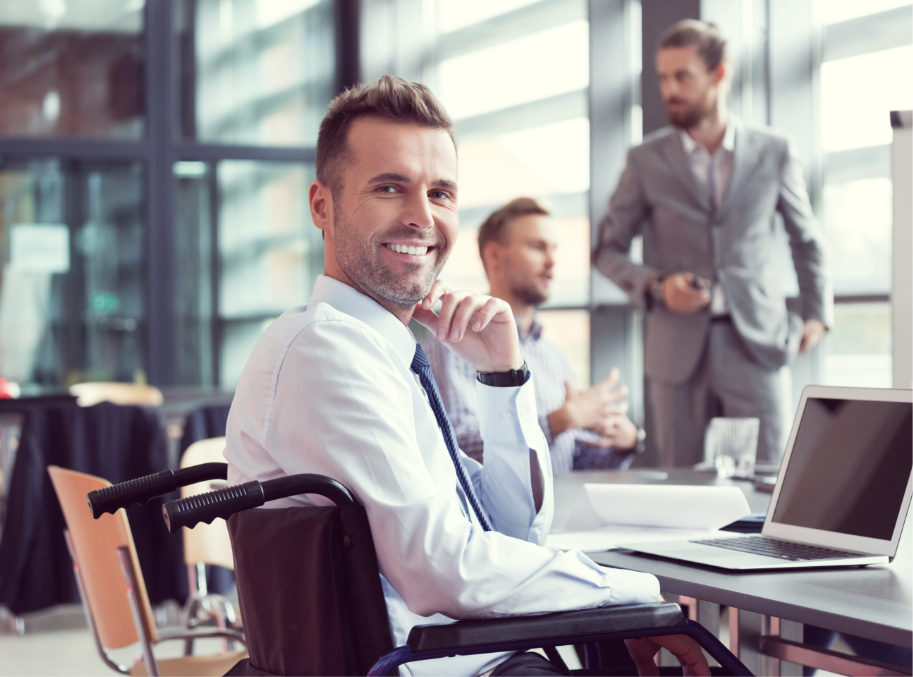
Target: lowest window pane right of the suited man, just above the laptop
(857, 350)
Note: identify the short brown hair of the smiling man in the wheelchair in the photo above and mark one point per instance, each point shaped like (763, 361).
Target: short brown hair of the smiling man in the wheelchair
(387, 98)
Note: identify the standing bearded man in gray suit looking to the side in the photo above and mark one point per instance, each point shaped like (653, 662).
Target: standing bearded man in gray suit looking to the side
(703, 192)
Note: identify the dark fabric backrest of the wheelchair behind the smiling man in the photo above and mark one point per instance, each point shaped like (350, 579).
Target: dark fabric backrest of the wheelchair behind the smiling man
(310, 591)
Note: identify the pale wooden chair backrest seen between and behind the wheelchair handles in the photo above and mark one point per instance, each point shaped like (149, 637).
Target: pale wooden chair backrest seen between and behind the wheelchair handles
(207, 543)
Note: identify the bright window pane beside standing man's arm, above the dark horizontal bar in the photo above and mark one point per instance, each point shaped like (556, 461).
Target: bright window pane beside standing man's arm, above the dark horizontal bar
(857, 217)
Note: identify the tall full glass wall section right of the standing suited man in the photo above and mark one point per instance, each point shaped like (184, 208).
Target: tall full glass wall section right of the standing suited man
(867, 55)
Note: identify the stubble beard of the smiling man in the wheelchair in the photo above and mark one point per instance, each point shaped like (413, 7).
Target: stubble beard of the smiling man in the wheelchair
(363, 265)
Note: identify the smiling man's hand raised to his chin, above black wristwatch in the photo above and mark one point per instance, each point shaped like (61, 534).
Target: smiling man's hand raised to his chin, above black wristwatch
(479, 328)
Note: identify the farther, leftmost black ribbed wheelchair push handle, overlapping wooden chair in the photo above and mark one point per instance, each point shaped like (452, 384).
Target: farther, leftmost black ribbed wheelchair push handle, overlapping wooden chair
(143, 489)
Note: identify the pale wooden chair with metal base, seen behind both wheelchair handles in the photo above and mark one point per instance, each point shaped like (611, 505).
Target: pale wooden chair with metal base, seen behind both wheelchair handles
(206, 544)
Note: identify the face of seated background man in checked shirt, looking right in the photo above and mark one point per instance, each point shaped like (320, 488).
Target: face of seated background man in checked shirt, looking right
(527, 258)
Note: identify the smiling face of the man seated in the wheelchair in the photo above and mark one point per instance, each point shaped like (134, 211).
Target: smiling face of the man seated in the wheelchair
(394, 217)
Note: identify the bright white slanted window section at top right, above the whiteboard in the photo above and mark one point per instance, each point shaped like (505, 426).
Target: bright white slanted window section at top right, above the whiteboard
(858, 94)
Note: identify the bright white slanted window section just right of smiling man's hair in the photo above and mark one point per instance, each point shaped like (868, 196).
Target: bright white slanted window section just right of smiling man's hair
(537, 66)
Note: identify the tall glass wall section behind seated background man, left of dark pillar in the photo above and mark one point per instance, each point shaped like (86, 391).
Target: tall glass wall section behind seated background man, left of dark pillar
(514, 77)
